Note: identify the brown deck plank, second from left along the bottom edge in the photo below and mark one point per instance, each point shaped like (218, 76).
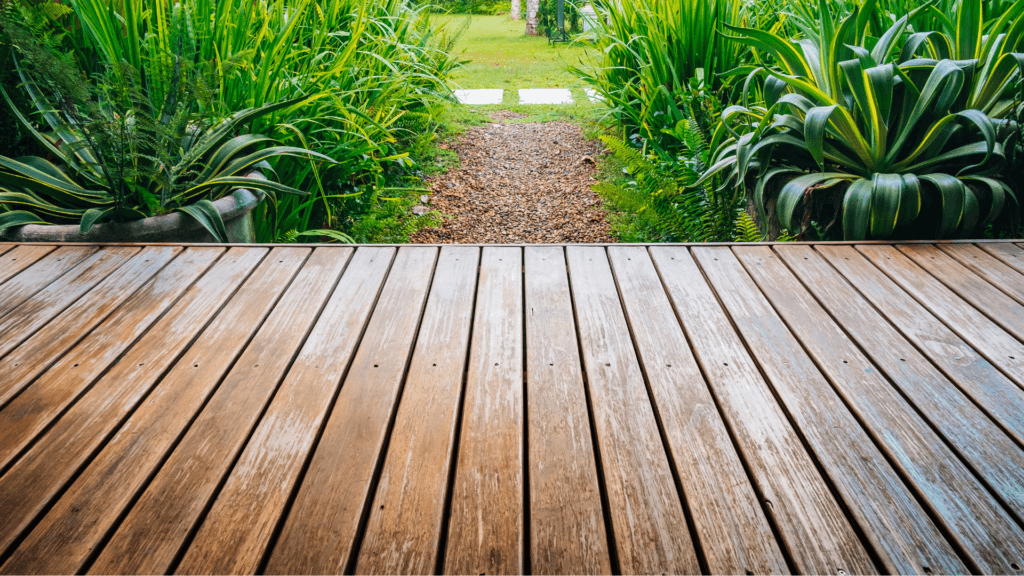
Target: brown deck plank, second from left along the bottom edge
(175, 500)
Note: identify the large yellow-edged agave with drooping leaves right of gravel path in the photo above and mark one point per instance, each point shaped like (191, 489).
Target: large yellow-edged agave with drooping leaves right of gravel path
(894, 141)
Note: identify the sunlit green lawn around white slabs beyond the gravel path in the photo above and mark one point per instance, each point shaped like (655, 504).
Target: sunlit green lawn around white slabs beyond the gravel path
(503, 57)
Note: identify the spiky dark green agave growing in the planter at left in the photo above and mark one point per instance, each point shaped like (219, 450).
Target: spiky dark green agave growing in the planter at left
(124, 157)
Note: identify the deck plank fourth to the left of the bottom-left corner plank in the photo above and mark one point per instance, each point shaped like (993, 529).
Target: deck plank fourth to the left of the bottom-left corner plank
(34, 313)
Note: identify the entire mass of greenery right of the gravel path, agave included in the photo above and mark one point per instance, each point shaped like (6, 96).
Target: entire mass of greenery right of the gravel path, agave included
(833, 87)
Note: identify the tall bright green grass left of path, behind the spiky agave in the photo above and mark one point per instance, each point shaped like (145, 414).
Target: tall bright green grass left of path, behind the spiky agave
(353, 71)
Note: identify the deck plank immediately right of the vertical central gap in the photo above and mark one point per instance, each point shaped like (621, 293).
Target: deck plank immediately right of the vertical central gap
(568, 533)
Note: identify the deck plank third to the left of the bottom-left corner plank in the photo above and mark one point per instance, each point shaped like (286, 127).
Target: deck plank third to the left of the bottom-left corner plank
(33, 355)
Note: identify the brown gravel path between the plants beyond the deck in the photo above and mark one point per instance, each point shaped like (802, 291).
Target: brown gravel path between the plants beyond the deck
(520, 184)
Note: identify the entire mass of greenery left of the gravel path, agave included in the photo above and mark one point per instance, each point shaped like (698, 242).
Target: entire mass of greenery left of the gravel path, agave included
(162, 106)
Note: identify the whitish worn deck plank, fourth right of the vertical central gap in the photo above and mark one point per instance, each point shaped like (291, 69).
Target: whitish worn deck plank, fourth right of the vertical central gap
(814, 527)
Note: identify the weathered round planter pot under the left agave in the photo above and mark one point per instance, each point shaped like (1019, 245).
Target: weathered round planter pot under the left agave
(178, 228)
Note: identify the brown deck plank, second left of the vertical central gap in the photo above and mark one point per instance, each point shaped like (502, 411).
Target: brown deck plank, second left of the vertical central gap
(404, 533)
